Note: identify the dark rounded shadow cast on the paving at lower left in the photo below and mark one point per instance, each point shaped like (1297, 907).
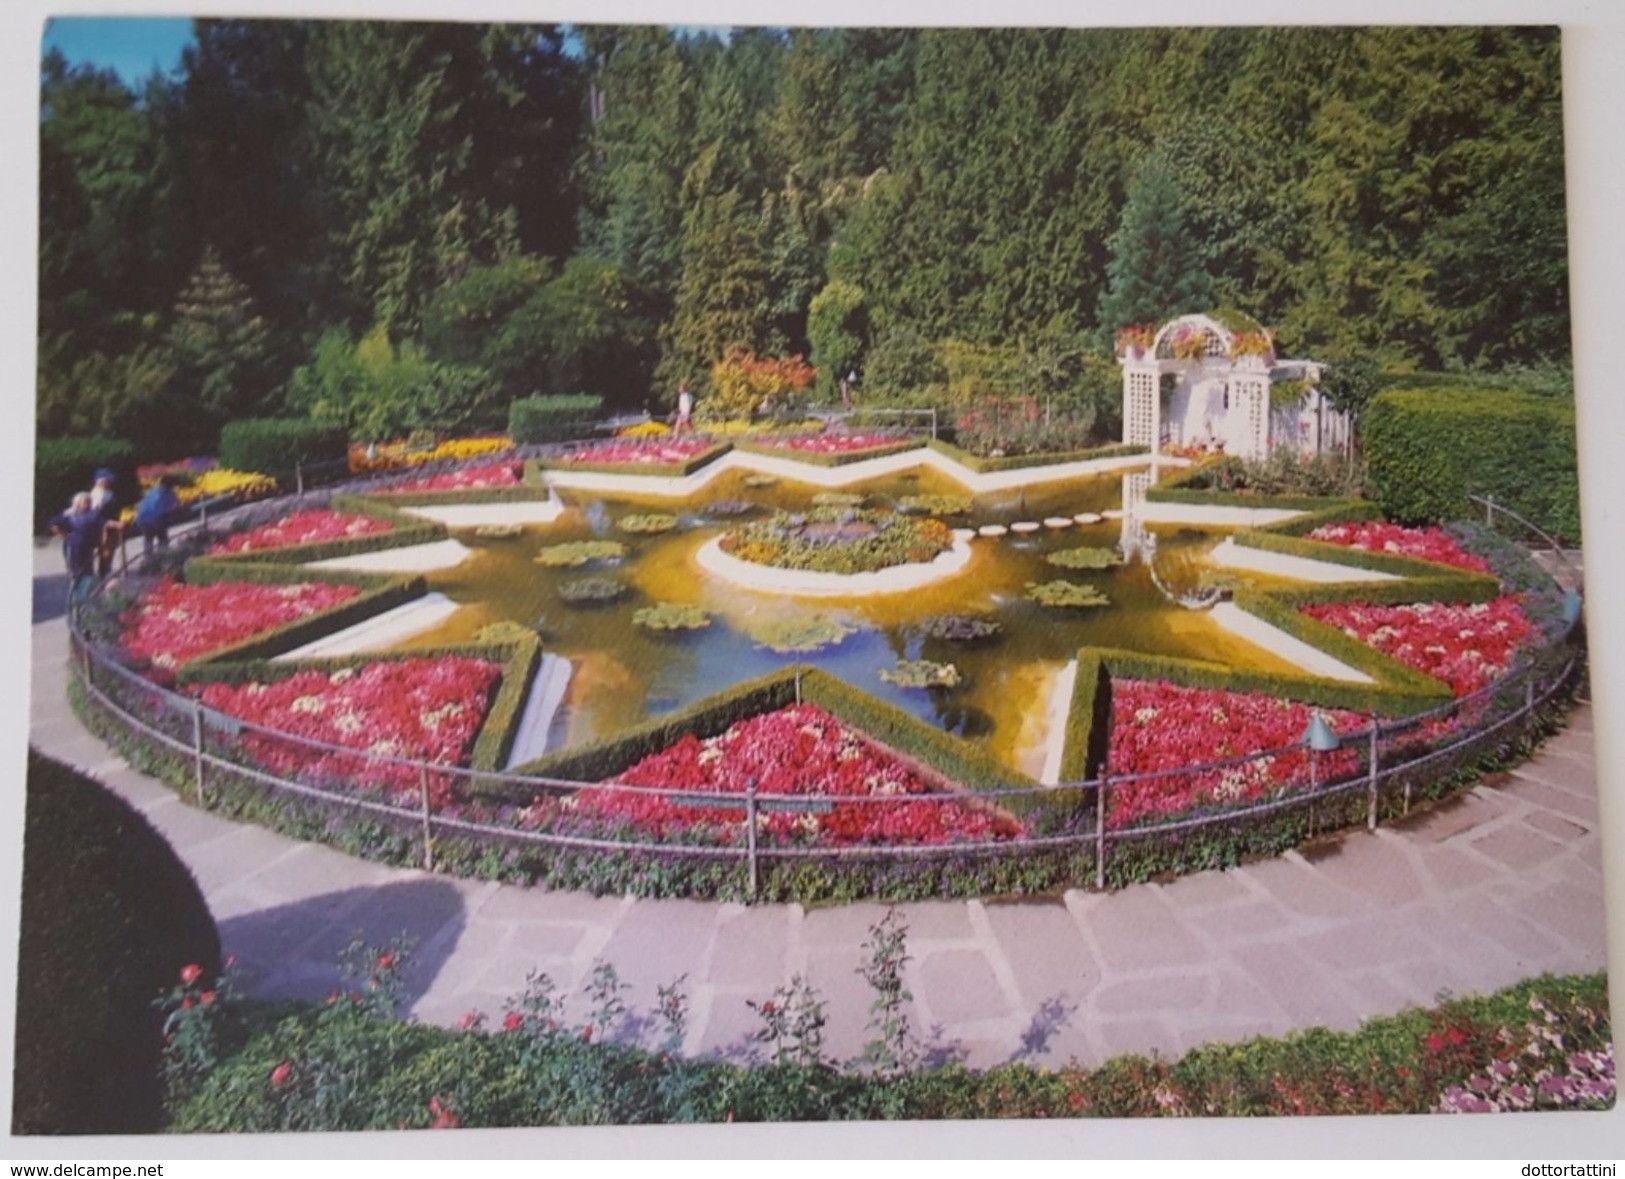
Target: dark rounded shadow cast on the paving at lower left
(293, 951)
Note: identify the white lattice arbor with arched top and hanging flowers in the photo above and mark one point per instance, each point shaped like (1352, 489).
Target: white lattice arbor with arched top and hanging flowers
(1218, 386)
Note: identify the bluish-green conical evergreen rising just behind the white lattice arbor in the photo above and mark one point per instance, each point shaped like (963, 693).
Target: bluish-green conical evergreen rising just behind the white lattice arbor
(1158, 264)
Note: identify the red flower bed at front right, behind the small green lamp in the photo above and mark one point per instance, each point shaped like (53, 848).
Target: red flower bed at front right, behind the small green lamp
(1161, 727)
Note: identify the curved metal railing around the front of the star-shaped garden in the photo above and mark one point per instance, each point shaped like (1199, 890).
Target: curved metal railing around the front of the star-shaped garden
(1379, 771)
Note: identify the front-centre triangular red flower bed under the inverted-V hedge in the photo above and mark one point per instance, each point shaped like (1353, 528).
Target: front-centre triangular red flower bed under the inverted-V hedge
(805, 751)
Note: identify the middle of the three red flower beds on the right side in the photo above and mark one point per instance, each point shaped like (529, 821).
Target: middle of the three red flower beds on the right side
(1463, 646)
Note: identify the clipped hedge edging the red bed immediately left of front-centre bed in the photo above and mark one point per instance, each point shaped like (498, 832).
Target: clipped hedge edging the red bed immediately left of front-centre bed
(498, 730)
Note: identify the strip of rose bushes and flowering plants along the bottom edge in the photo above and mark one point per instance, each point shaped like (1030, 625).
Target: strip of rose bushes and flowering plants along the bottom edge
(349, 1065)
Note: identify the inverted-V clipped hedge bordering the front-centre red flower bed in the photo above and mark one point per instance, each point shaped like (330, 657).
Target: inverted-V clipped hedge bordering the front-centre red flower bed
(885, 723)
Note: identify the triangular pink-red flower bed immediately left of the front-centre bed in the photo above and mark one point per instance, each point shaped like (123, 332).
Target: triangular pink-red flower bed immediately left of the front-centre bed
(418, 709)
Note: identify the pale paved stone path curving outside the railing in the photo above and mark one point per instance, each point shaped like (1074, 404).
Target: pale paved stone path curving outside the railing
(1497, 886)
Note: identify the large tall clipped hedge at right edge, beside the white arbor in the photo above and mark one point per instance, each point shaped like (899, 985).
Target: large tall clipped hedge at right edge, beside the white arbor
(1429, 449)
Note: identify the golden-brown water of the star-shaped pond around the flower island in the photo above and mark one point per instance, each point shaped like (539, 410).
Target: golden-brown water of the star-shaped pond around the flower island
(625, 673)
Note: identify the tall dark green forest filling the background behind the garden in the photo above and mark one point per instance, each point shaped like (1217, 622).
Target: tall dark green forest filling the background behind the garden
(407, 227)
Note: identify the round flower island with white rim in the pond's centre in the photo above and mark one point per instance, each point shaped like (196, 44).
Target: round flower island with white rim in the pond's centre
(836, 551)
